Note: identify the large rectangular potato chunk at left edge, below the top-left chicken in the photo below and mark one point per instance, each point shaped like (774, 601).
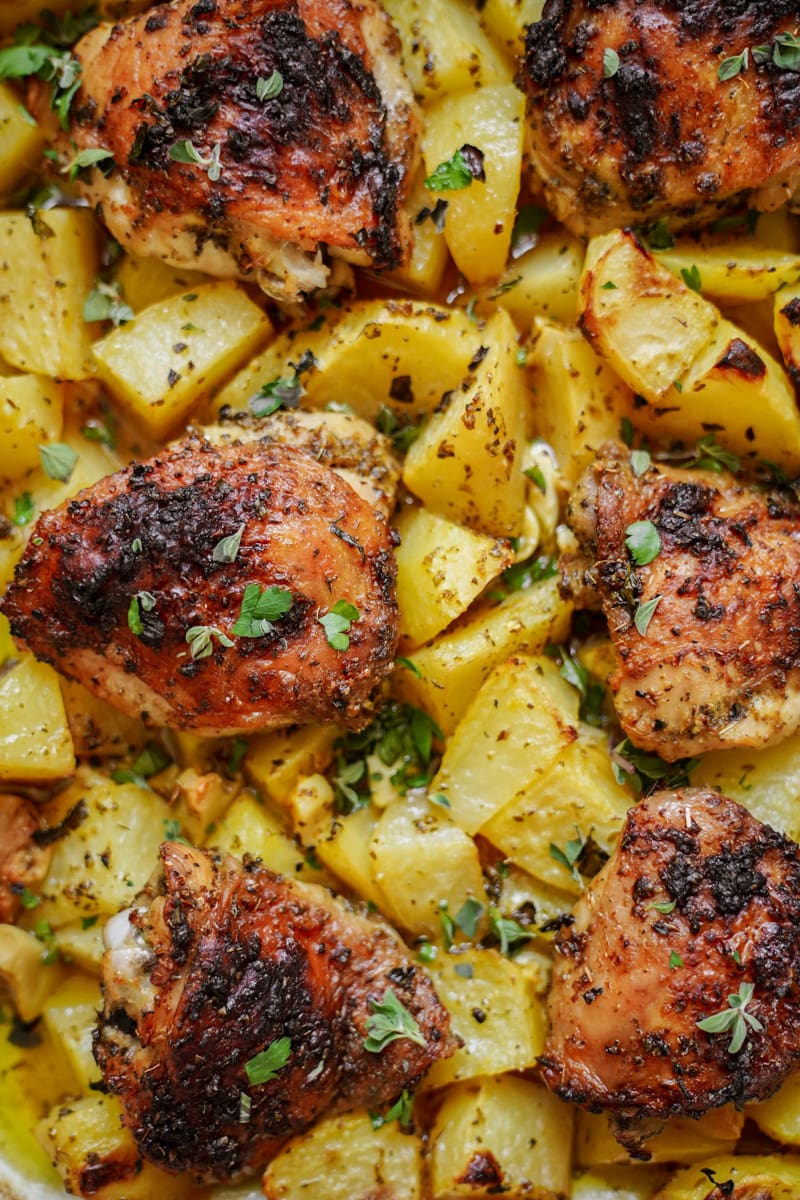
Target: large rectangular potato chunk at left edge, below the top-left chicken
(44, 284)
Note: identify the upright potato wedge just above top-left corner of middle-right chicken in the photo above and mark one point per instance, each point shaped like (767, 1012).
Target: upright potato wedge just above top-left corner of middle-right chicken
(580, 401)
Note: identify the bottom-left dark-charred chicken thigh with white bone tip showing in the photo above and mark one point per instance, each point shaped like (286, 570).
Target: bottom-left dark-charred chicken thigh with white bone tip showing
(220, 961)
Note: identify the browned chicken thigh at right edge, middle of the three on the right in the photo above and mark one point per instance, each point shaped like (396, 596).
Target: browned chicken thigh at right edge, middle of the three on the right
(718, 662)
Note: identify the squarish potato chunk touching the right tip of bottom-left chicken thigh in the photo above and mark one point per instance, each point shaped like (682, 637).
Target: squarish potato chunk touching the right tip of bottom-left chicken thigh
(495, 1007)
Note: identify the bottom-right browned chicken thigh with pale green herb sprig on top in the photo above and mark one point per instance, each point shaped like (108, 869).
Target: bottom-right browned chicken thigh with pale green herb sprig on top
(696, 914)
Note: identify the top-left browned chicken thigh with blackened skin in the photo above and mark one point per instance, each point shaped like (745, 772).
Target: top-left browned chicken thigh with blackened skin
(303, 119)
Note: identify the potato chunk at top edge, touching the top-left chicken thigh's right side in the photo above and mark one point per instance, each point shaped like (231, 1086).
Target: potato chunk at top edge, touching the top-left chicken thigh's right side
(446, 51)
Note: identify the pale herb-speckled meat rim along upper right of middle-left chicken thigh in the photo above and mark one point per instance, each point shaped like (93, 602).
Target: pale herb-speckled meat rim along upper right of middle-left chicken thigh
(346, 443)
